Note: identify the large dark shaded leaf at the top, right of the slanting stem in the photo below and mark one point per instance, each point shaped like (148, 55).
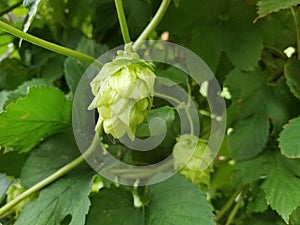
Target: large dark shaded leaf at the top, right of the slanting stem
(207, 27)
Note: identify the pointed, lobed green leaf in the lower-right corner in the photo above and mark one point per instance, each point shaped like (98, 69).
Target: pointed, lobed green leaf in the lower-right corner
(281, 182)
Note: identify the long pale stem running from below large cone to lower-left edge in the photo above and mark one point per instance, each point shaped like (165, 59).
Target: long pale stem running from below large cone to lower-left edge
(59, 173)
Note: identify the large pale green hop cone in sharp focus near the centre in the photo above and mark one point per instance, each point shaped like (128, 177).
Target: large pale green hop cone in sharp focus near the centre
(123, 91)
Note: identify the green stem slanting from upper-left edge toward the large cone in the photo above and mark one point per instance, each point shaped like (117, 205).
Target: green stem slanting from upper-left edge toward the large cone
(45, 44)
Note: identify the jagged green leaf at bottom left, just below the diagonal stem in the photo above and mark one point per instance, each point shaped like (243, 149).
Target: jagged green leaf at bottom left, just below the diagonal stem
(66, 197)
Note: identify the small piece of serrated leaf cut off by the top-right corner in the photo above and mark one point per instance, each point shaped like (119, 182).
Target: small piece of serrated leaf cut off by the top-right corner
(266, 7)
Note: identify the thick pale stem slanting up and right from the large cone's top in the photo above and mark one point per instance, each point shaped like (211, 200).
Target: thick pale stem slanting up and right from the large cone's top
(153, 24)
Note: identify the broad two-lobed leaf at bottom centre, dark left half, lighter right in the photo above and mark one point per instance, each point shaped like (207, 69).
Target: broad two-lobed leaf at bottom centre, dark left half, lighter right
(175, 201)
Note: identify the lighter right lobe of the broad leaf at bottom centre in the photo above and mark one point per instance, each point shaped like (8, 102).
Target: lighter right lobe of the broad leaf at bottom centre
(166, 199)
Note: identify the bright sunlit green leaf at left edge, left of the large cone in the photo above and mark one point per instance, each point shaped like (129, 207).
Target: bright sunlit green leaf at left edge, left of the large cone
(41, 113)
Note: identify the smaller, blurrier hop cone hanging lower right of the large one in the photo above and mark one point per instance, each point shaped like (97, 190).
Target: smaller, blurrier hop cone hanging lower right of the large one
(191, 145)
